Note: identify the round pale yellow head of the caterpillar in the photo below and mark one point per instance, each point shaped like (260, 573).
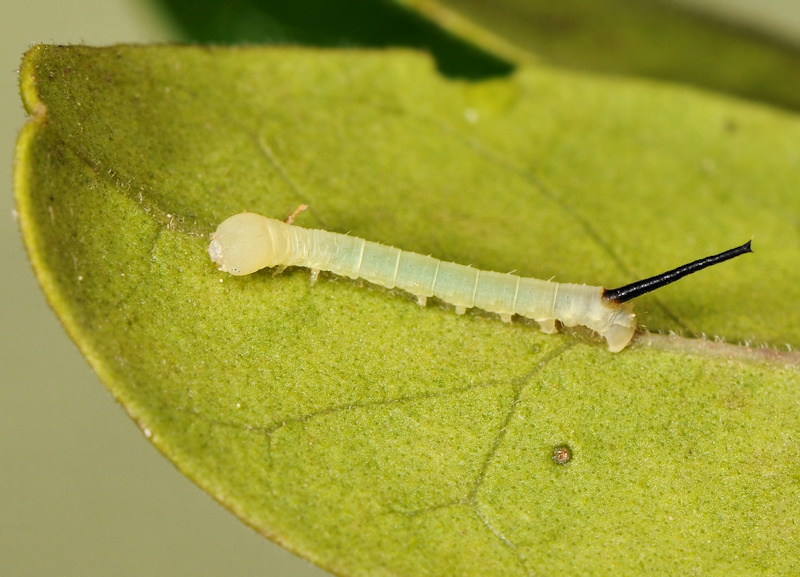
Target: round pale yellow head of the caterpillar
(245, 243)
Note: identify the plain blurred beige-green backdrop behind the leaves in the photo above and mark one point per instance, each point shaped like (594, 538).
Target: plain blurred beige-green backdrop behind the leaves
(81, 491)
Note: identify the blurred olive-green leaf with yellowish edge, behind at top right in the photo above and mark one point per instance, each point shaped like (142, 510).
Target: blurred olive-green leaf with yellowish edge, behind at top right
(643, 38)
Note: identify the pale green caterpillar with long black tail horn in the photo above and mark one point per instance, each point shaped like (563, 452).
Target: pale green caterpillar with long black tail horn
(248, 242)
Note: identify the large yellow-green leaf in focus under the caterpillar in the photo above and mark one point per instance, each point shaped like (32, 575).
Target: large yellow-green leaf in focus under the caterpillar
(372, 436)
